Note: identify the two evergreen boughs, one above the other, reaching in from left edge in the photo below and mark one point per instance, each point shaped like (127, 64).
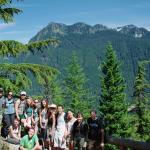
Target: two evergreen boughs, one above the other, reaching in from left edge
(17, 76)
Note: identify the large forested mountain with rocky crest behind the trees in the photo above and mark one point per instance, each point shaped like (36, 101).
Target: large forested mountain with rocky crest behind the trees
(130, 42)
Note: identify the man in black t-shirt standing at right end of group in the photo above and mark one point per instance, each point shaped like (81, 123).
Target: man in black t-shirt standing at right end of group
(96, 132)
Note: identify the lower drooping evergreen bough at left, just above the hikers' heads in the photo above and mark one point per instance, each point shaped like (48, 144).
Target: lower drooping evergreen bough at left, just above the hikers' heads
(16, 76)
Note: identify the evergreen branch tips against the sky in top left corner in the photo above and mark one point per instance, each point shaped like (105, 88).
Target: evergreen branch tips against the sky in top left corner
(7, 12)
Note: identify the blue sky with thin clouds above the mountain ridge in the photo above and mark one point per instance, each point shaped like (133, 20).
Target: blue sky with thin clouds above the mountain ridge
(39, 13)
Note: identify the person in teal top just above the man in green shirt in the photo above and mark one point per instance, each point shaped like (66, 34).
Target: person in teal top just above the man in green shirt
(28, 114)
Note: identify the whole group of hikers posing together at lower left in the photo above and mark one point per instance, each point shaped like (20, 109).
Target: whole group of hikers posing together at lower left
(36, 125)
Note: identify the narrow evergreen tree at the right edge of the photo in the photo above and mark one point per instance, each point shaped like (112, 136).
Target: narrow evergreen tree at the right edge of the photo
(141, 104)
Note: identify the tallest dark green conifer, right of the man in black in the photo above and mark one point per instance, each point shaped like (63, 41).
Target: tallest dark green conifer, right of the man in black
(112, 104)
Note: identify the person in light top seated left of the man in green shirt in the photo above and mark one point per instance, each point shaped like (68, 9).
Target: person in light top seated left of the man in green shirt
(14, 135)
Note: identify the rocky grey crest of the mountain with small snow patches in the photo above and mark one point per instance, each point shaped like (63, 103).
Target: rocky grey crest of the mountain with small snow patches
(82, 28)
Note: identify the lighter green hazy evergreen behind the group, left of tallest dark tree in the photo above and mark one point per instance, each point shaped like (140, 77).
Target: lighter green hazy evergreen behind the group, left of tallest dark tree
(76, 94)
